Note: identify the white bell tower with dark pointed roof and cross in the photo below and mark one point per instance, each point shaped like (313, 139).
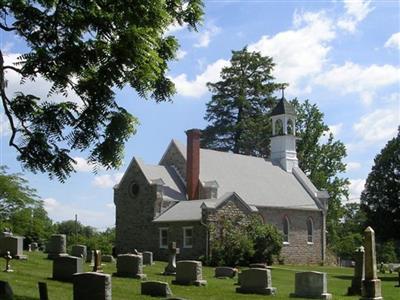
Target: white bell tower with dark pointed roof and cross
(283, 140)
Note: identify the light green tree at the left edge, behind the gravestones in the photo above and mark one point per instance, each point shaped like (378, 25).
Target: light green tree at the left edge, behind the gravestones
(15, 194)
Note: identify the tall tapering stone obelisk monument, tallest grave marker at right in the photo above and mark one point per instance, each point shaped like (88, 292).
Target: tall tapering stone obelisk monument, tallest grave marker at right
(371, 285)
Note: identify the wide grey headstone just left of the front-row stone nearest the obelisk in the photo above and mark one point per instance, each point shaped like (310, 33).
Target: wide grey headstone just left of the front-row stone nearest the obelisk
(256, 281)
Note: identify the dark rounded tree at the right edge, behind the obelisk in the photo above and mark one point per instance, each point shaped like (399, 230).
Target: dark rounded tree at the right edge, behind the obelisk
(380, 198)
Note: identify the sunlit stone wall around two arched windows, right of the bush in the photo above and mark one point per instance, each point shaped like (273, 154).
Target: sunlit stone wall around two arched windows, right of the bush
(298, 250)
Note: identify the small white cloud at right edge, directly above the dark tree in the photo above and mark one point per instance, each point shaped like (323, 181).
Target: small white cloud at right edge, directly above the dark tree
(380, 125)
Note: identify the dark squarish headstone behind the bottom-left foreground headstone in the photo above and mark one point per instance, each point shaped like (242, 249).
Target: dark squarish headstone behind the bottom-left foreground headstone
(65, 266)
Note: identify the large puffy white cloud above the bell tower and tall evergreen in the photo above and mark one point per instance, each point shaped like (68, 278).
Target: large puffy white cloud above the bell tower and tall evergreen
(299, 53)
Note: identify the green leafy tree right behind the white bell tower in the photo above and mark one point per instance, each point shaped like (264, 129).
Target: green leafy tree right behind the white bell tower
(322, 161)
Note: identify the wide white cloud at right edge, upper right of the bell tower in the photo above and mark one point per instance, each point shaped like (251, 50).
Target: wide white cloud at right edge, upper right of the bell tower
(354, 78)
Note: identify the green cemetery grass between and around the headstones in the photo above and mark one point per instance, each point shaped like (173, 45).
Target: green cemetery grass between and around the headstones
(37, 268)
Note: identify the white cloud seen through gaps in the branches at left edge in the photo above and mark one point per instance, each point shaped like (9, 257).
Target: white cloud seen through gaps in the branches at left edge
(40, 87)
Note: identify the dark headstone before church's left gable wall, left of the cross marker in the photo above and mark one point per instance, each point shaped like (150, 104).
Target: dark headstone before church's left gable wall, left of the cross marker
(130, 265)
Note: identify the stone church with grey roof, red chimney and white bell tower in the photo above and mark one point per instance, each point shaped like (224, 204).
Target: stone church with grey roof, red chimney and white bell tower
(176, 199)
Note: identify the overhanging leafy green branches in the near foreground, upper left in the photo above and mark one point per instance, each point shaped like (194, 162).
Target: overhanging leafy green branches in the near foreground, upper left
(89, 48)
